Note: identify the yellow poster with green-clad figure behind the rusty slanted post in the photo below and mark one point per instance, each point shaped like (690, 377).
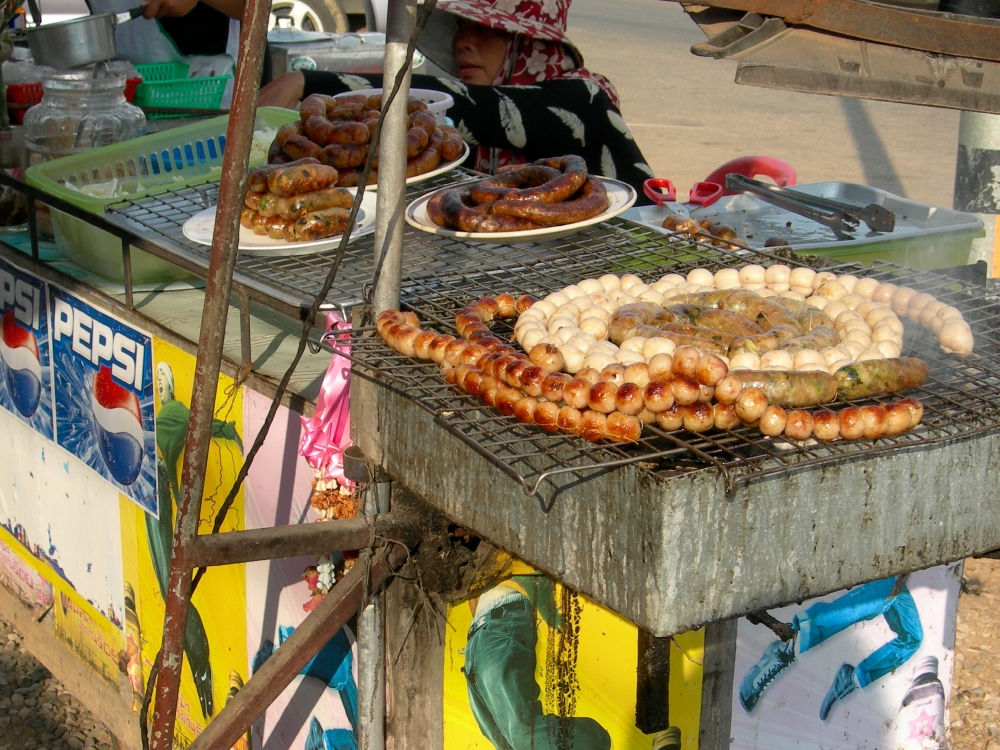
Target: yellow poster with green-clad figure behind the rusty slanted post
(215, 653)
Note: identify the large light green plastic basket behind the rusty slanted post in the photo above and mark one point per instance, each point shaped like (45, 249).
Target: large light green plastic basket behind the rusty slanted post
(172, 158)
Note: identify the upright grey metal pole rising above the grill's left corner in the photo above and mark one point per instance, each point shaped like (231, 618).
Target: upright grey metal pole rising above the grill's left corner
(391, 200)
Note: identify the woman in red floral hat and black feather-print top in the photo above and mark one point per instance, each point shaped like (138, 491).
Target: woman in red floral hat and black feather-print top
(523, 92)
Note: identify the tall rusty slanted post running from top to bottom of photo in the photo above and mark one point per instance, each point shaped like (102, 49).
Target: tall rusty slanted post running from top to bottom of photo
(239, 134)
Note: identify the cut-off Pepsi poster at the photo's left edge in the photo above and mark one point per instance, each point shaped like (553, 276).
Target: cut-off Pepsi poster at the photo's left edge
(25, 364)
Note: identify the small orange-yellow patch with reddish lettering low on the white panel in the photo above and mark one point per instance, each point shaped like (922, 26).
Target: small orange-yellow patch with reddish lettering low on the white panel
(92, 637)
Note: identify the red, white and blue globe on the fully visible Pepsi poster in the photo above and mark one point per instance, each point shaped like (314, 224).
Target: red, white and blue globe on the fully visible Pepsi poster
(118, 420)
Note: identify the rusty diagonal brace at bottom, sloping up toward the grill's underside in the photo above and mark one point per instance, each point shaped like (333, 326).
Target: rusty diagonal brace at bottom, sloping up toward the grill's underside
(320, 626)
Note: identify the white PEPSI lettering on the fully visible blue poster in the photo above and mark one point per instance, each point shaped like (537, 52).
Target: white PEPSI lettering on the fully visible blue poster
(96, 342)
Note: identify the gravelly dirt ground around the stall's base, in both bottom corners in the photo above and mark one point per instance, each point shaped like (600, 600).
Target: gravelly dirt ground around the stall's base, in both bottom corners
(37, 712)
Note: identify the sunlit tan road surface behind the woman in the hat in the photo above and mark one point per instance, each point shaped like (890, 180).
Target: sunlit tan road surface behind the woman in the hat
(689, 116)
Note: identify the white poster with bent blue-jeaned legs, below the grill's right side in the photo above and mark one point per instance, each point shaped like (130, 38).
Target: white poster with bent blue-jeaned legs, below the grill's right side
(849, 674)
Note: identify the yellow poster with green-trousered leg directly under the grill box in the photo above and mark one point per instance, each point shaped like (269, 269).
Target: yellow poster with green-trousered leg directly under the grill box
(536, 651)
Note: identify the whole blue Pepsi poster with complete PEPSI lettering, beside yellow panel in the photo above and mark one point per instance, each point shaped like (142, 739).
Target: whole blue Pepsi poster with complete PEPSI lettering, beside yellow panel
(103, 371)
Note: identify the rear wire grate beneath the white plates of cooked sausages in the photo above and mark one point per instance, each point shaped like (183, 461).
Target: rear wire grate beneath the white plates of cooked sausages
(618, 245)
